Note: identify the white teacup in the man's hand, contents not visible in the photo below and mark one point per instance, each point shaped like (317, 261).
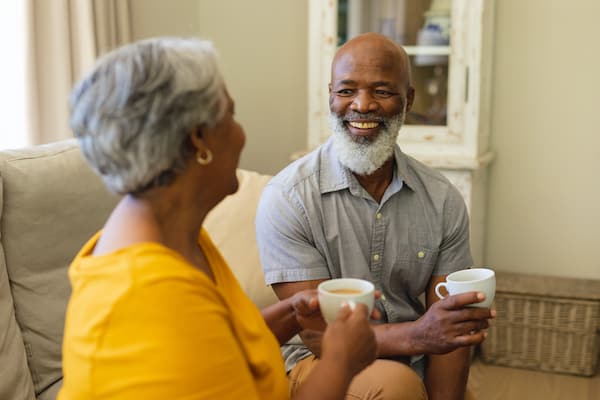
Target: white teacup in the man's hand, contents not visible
(470, 280)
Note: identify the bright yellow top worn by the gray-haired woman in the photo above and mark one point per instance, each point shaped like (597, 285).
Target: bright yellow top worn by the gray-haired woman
(142, 323)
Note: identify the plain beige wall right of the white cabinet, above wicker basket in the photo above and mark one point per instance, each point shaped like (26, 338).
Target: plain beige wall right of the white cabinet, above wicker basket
(544, 187)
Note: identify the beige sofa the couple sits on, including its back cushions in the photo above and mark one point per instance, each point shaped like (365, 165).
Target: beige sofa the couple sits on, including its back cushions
(50, 204)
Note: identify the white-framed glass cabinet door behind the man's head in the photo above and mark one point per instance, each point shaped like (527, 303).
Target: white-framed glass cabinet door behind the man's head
(443, 40)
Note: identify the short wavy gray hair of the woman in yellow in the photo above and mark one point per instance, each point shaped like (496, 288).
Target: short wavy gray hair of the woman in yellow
(134, 112)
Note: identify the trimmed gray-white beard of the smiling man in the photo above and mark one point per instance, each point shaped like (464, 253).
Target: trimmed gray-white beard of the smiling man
(363, 157)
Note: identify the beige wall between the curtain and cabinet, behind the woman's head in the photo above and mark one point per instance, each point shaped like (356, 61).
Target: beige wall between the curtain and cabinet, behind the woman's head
(262, 46)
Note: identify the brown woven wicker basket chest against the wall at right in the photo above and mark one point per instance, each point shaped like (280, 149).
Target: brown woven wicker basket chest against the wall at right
(550, 328)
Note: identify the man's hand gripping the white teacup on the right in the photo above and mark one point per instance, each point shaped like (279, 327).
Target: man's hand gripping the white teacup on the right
(449, 324)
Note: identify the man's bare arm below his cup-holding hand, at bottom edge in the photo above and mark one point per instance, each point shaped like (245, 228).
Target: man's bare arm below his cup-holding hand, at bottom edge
(446, 375)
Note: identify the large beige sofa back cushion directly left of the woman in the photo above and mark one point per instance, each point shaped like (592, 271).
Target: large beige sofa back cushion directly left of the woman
(52, 202)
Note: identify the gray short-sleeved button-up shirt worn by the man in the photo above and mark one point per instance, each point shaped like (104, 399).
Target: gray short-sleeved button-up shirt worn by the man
(315, 221)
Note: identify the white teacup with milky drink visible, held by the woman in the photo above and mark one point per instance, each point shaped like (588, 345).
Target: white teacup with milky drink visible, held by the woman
(334, 292)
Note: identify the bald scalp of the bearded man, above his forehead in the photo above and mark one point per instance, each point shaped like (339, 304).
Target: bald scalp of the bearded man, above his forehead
(378, 51)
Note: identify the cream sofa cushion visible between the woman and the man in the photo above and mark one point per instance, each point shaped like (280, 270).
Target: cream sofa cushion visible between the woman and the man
(231, 227)
